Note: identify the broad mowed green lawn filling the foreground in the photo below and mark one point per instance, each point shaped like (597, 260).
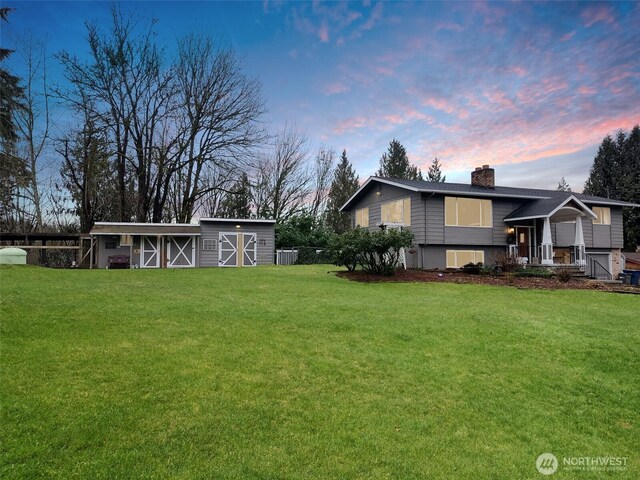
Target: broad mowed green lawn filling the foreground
(291, 372)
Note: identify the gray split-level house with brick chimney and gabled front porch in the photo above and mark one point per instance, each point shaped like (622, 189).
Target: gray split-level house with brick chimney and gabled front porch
(454, 224)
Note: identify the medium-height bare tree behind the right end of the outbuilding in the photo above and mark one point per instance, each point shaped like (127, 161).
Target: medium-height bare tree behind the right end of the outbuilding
(284, 176)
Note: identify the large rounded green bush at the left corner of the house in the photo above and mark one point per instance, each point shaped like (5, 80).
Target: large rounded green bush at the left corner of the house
(376, 252)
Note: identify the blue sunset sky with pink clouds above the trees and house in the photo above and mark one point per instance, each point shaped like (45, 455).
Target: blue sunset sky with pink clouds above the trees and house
(528, 88)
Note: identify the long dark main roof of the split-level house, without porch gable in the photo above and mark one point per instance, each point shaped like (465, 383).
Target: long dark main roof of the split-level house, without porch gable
(474, 191)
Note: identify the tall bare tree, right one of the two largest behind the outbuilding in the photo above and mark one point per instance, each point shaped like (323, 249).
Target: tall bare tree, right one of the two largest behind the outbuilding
(220, 109)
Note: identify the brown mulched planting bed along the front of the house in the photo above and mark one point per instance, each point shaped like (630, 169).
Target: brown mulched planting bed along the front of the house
(413, 275)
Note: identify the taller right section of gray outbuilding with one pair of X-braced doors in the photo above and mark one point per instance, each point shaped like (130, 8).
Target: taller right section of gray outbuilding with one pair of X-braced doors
(232, 242)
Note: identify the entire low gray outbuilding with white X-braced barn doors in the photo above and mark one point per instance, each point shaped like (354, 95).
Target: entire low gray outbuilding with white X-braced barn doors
(213, 242)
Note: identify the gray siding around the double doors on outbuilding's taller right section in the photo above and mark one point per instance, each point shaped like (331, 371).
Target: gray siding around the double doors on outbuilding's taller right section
(210, 230)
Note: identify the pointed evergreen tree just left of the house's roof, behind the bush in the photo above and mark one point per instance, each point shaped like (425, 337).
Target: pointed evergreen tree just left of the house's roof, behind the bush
(345, 183)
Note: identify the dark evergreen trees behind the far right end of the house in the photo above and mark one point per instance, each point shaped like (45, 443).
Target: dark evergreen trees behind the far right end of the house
(615, 173)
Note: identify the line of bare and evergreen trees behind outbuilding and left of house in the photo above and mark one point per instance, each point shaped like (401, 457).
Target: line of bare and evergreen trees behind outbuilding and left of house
(155, 137)
